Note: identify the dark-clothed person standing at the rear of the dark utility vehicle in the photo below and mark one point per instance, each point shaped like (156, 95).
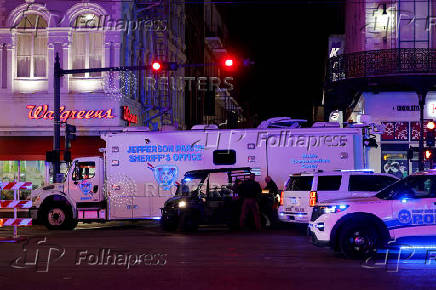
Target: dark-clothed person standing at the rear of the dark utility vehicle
(248, 192)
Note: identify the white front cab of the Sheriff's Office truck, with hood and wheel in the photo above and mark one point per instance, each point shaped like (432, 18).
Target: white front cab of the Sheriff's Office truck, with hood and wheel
(79, 198)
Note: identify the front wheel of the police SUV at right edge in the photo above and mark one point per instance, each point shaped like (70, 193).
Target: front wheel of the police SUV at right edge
(358, 241)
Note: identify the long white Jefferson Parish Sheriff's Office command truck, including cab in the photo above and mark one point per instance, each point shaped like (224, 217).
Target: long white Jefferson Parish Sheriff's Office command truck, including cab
(139, 170)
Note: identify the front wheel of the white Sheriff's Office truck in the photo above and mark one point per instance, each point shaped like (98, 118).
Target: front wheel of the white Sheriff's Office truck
(58, 217)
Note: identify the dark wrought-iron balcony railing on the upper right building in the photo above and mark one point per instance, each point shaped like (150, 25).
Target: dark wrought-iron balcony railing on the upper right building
(382, 63)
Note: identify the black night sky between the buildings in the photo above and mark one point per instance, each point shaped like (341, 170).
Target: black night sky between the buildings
(288, 40)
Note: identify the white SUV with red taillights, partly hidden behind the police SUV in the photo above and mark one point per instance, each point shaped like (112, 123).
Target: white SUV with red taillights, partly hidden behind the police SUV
(303, 191)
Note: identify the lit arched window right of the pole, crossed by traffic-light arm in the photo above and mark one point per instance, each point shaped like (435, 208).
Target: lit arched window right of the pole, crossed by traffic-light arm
(87, 44)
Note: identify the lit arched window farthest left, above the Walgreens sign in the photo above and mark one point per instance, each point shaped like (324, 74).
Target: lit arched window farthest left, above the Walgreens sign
(32, 47)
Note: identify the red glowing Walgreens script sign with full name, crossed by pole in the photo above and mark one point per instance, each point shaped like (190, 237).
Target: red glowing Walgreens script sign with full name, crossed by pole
(43, 112)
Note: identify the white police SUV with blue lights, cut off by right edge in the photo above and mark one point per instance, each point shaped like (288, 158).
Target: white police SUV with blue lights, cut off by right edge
(358, 226)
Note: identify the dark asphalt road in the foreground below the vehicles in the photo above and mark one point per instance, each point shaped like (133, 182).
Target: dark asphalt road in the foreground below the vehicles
(213, 258)
